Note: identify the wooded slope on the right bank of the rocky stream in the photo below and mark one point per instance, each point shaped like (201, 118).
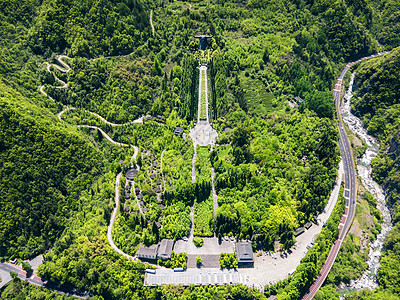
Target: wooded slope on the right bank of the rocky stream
(377, 102)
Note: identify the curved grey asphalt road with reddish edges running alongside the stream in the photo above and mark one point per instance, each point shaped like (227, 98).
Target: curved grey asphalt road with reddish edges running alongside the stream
(350, 185)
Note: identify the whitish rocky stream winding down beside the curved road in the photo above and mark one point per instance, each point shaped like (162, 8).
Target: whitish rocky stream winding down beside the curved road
(369, 278)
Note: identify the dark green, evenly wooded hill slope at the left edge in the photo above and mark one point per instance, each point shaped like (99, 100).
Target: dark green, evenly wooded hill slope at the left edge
(43, 169)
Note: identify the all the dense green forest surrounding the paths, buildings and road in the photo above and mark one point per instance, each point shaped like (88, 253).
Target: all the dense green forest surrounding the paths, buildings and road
(56, 181)
